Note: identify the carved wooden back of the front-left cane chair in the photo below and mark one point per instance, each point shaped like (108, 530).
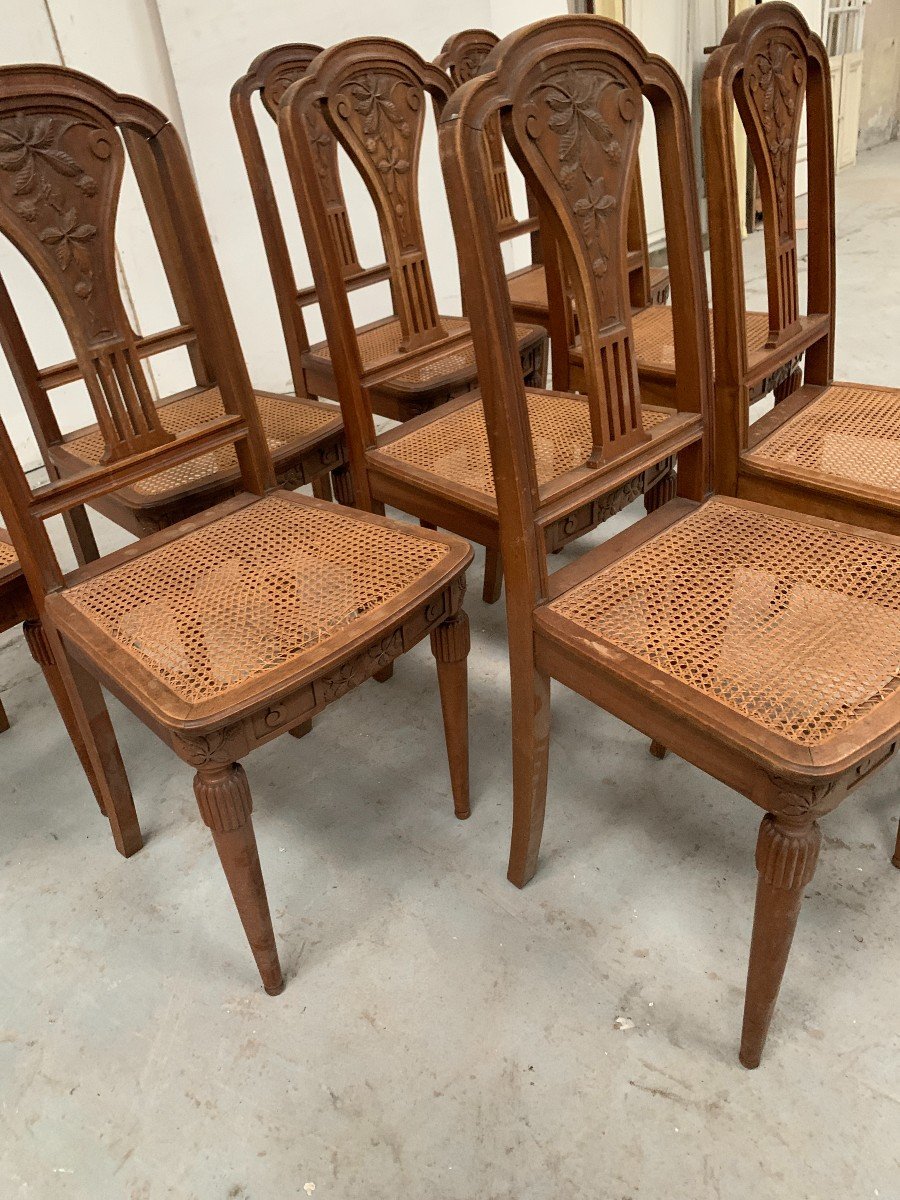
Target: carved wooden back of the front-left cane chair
(64, 142)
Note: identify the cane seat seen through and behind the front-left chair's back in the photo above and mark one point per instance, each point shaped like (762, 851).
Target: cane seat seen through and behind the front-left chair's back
(284, 422)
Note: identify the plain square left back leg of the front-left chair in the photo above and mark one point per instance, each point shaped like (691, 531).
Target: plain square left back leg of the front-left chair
(85, 713)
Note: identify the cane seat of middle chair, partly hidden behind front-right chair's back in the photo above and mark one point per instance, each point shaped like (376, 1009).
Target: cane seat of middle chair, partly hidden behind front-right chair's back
(455, 447)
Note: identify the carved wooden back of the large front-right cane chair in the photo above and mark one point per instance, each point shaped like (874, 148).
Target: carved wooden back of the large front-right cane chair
(569, 97)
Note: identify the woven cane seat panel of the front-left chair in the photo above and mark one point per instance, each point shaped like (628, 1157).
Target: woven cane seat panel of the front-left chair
(251, 592)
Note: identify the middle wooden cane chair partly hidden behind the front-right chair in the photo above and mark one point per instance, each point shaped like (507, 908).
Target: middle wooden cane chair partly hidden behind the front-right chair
(373, 95)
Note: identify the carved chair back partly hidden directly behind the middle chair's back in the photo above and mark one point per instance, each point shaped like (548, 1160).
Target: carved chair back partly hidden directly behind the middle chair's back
(269, 77)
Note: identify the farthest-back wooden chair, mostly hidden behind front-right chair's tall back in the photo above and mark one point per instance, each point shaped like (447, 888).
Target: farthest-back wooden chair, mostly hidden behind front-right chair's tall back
(461, 57)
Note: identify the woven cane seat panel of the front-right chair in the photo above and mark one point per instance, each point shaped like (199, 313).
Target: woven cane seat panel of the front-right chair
(794, 626)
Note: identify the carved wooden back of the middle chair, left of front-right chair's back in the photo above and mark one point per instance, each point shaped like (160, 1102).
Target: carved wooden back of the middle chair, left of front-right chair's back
(371, 94)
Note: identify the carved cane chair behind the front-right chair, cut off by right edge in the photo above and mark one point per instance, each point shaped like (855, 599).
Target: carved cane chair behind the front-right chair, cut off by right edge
(832, 449)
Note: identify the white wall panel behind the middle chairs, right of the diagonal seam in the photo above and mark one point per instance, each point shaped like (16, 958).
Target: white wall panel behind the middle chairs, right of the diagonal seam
(206, 63)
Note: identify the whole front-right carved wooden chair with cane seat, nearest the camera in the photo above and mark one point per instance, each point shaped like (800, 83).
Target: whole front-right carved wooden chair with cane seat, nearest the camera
(759, 645)
